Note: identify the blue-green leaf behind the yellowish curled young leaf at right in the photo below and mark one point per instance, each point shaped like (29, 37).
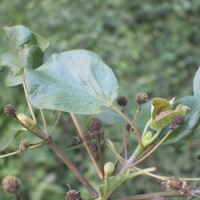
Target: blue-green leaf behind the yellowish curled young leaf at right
(188, 129)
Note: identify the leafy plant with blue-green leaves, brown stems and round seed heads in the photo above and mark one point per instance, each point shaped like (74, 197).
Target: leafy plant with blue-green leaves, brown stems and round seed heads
(79, 82)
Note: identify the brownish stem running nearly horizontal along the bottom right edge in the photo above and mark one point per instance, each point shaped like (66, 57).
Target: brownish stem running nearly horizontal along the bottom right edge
(152, 195)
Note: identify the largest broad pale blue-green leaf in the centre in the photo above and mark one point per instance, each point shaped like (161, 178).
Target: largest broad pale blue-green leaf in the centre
(76, 81)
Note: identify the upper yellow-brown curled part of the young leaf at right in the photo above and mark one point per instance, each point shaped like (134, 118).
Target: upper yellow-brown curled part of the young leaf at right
(159, 105)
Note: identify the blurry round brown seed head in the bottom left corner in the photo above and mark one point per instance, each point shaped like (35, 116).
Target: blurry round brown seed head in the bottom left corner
(11, 184)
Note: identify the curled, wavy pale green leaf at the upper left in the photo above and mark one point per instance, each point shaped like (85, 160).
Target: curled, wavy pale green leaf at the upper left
(20, 39)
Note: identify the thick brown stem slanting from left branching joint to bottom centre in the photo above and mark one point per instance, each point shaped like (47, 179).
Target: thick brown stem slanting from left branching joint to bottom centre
(72, 167)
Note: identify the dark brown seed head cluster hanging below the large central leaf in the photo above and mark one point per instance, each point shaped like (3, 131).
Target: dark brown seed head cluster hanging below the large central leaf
(95, 134)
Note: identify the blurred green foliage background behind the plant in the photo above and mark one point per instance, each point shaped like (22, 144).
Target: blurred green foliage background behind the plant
(152, 46)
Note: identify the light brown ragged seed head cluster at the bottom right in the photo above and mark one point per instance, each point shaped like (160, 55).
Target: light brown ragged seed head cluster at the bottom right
(176, 184)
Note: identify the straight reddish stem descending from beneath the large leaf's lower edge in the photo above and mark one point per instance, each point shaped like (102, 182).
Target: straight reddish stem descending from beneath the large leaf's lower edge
(78, 127)
